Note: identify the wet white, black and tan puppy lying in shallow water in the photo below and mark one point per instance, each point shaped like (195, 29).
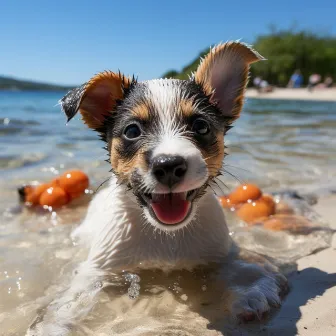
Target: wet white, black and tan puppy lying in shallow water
(165, 139)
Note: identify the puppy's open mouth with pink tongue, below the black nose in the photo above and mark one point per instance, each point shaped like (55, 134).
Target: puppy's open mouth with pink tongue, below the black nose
(170, 208)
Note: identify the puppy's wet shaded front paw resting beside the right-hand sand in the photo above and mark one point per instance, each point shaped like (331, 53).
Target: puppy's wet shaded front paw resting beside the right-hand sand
(254, 302)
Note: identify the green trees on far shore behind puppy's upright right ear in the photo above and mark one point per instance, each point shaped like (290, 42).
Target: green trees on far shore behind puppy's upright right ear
(286, 51)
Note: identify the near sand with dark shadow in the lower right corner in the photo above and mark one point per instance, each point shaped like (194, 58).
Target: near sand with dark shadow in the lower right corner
(309, 308)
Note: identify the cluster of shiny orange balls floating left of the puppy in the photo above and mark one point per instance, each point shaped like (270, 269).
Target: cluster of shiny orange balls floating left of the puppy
(58, 192)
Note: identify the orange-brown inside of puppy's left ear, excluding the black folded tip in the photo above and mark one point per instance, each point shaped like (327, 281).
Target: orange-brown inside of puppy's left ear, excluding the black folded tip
(100, 96)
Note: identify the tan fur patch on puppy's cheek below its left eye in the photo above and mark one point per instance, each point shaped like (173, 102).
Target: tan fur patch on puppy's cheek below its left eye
(124, 167)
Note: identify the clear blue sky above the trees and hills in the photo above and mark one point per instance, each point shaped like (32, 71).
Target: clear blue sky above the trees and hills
(67, 42)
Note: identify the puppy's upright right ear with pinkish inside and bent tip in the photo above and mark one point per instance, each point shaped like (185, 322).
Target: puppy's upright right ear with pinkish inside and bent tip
(224, 74)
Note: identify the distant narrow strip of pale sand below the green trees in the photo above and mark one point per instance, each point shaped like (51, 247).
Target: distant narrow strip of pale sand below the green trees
(295, 94)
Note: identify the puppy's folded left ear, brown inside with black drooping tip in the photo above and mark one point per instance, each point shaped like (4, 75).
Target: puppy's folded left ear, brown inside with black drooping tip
(96, 99)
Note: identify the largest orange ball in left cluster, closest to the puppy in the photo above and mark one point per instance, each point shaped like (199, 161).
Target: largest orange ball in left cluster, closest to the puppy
(74, 182)
